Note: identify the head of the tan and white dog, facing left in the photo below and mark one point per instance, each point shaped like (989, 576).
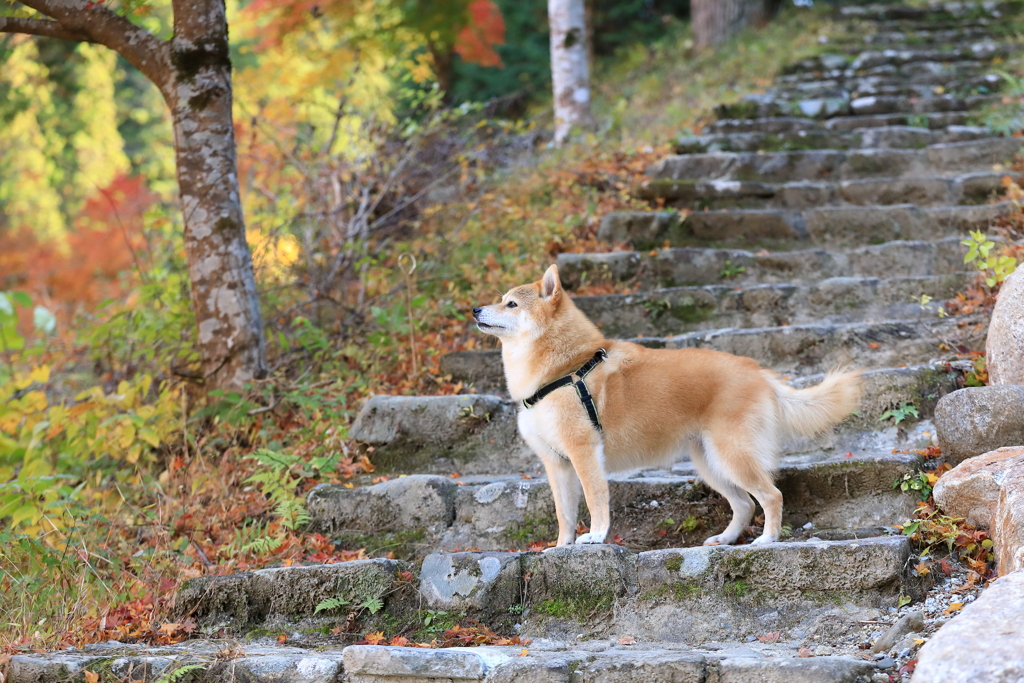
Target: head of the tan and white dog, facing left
(526, 311)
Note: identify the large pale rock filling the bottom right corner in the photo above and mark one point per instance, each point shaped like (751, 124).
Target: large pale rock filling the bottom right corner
(984, 643)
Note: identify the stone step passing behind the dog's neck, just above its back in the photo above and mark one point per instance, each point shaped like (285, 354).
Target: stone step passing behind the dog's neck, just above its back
(794, 351)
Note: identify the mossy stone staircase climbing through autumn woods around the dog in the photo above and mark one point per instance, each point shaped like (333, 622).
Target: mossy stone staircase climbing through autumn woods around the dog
(817, 212)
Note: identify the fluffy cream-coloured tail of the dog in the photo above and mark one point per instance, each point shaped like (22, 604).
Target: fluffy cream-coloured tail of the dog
(815, 410)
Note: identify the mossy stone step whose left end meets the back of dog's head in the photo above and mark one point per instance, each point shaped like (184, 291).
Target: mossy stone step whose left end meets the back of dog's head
(844, 300)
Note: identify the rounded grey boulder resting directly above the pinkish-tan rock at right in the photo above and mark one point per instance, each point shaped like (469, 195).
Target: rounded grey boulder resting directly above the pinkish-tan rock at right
(977, 420)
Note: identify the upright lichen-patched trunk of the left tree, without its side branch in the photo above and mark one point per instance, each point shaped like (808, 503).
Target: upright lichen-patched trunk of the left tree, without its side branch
(221, 269)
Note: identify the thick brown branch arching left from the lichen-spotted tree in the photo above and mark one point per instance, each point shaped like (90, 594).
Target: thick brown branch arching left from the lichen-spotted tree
(97, 24)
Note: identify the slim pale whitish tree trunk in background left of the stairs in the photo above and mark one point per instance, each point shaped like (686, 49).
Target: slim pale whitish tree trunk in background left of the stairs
(570, 73)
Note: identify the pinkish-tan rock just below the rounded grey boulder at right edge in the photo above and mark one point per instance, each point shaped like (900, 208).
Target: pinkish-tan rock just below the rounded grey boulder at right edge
(972, 489)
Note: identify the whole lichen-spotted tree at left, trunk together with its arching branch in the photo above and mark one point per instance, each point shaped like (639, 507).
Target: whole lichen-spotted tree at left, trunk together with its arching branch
(194, 73)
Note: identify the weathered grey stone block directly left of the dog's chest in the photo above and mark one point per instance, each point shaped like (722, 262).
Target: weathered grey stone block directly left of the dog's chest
(442, 435)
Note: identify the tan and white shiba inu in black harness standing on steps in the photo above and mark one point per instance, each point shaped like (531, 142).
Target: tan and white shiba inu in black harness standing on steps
(634, 407)
